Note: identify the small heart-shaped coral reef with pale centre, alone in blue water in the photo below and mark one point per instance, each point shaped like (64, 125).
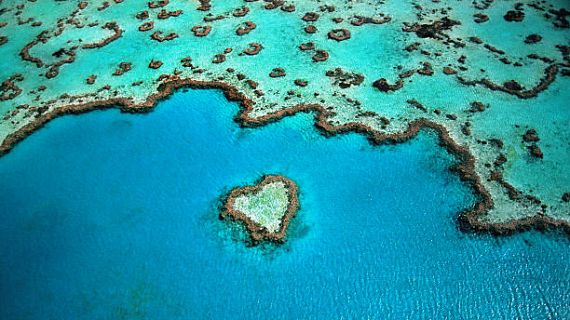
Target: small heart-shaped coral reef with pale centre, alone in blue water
(266, 209)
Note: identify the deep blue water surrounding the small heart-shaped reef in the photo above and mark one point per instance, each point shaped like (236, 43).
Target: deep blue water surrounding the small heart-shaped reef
(114, 216)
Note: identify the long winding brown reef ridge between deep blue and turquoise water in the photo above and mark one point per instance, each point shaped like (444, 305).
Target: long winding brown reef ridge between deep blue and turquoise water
(469, 220)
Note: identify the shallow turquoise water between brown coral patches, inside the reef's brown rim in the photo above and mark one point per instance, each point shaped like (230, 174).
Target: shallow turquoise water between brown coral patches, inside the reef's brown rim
(374, 50)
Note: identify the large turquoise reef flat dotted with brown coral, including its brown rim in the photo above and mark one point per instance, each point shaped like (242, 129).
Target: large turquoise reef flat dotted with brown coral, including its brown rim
(385, 70)
